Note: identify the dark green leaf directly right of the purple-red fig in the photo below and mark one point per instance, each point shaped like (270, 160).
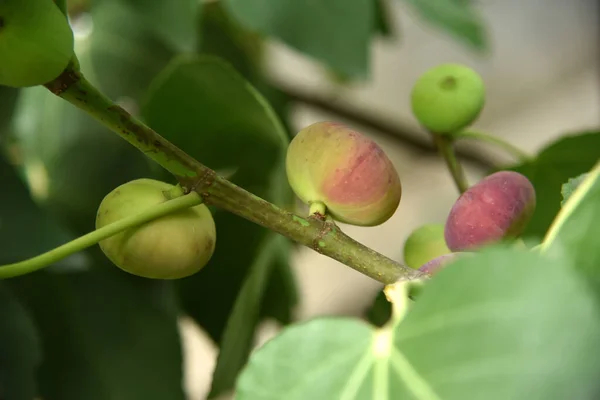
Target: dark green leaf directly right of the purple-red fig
(567, 157)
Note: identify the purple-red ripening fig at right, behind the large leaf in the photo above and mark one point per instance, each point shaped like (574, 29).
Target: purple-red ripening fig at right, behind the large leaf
(498, 207)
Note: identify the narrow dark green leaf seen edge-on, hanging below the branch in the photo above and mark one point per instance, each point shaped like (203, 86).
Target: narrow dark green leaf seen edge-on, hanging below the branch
(238, 338)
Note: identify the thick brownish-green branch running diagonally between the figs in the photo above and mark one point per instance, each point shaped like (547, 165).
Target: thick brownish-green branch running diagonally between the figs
(321, 236)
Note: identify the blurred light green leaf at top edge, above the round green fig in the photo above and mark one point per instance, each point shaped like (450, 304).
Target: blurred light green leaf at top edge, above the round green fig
(455, 17)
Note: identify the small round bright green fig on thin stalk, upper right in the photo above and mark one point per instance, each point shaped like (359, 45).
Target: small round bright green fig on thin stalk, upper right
(448, 98)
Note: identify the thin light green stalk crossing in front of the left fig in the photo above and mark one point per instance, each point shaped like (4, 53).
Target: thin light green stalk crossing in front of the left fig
(92, 238)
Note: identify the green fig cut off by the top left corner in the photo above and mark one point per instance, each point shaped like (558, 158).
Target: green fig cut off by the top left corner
(36, 42)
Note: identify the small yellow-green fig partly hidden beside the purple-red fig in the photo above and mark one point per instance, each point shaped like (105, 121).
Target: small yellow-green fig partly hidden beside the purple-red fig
(425, 244)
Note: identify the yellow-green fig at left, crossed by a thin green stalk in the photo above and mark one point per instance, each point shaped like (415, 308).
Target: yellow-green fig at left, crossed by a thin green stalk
(170, 247)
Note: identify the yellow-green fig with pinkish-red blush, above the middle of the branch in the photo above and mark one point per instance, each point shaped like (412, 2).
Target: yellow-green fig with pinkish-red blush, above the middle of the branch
(330, 163)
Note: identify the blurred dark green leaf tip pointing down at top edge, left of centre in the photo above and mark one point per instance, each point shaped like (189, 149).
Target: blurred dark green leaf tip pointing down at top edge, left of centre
(173, 21)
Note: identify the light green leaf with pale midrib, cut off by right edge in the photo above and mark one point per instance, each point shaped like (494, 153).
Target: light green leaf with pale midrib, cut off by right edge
(575, 232)
